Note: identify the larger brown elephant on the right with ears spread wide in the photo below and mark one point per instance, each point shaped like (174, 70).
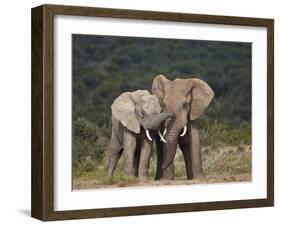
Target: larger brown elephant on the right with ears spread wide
(188, 99)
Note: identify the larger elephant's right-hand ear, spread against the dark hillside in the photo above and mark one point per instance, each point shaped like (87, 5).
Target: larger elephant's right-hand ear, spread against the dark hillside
(202, 95)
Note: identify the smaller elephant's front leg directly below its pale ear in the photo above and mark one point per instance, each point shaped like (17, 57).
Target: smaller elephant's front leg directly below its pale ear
(129, 152)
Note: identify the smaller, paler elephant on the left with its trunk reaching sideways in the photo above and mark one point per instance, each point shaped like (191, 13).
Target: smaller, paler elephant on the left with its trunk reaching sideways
(132, 114)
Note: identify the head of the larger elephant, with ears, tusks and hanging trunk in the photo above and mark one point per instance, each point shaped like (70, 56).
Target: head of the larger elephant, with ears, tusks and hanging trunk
(188, 99)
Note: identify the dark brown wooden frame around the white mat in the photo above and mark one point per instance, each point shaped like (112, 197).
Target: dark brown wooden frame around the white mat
(42, 203)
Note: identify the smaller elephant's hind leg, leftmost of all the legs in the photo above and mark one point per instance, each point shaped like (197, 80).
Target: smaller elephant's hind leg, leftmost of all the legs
(115, 153)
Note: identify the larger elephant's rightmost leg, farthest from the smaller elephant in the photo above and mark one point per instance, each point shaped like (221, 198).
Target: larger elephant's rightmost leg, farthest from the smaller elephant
(195, 148)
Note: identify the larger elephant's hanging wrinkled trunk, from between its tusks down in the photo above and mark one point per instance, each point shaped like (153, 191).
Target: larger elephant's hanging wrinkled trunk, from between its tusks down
(172, 143)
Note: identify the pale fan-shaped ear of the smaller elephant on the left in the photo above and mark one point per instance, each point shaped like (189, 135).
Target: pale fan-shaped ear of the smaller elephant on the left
(123, 109)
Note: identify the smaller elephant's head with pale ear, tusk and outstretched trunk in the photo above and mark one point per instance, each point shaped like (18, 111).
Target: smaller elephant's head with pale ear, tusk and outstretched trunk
(139, 109)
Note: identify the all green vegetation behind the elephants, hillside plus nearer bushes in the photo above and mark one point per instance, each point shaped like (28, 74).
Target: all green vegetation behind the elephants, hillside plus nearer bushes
(106, 66)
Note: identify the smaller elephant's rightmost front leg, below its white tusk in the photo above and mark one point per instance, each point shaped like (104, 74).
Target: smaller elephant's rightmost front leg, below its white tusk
(145, 158)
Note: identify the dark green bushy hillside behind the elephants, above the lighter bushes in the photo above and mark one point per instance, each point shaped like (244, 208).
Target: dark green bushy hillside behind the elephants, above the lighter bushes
(106, 66)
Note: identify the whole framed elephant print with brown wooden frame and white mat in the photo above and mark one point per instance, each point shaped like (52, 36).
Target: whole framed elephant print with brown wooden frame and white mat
(141, 112)
